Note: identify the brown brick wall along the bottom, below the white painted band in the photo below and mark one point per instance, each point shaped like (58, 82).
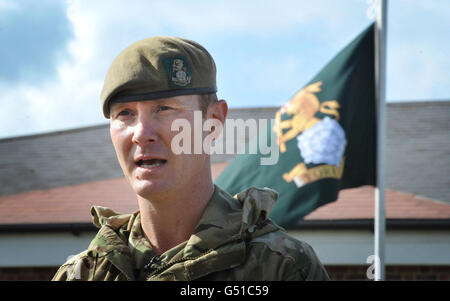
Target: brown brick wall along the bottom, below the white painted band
(339, 273)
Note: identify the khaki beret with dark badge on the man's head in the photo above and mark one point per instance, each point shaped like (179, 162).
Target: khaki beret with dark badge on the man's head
(158, 67)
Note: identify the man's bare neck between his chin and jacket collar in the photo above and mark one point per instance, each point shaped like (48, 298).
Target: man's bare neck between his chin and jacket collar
(170, 221)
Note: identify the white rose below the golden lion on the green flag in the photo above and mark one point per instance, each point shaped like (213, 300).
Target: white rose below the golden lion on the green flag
(323, 143)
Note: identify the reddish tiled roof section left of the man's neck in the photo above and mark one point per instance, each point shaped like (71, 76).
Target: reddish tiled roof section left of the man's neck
(69, 204)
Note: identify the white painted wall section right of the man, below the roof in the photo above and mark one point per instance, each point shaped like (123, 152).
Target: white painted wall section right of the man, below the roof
(352, 247)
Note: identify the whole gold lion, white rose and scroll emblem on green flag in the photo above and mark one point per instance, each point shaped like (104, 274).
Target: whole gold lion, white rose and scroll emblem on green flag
(320, 141)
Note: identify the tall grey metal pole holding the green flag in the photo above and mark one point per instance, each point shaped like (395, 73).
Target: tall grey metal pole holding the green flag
(380, 92)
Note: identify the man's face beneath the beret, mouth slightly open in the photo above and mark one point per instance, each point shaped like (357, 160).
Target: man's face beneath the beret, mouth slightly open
(141, 134)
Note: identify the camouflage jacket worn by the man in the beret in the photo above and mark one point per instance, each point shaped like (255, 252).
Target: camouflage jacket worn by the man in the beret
(234, 240)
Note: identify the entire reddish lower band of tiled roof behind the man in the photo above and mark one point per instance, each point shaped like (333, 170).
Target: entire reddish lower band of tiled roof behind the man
(71, 204)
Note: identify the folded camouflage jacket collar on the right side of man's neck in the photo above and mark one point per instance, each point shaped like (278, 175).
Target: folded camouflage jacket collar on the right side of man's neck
(219, 240)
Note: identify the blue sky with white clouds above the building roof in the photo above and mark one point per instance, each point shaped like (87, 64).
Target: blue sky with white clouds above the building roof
(54, 54)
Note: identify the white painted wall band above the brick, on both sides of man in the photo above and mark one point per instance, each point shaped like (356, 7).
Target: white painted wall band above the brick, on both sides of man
(333, 247)
